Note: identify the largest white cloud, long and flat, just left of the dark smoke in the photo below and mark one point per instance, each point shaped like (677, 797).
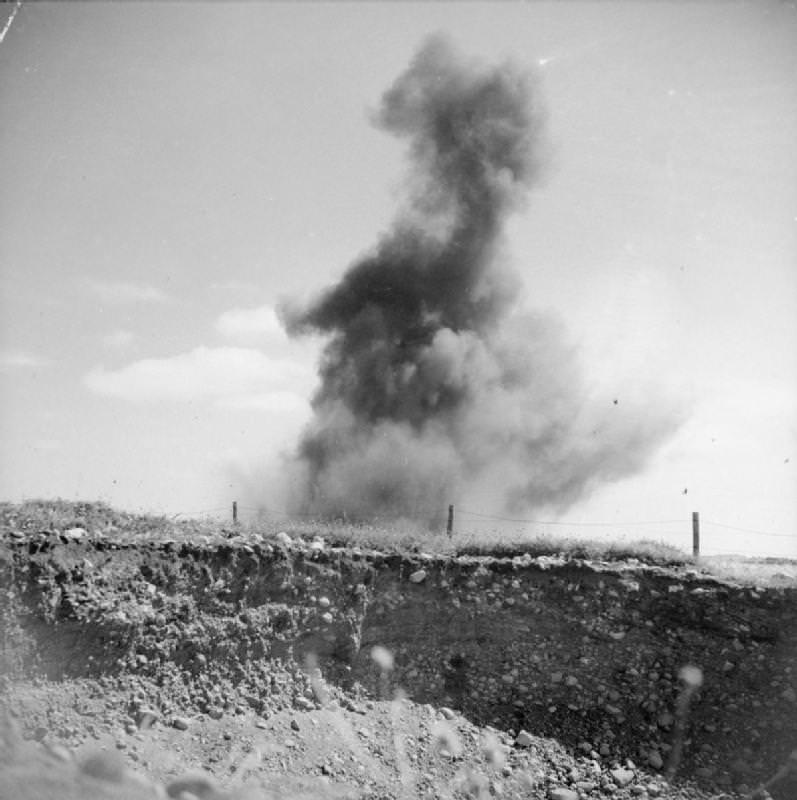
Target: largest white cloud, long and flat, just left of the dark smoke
(231, 375)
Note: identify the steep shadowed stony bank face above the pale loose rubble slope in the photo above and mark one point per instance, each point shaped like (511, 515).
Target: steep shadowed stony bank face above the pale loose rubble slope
(587, 653)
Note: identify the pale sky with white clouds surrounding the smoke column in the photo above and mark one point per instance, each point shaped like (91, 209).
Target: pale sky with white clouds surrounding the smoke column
(169, 173)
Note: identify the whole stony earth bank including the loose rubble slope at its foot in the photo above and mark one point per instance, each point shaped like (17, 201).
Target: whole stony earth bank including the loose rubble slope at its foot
(103, 636)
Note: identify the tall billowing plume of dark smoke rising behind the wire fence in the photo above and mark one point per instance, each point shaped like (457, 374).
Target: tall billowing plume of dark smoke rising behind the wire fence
(432, 383)
